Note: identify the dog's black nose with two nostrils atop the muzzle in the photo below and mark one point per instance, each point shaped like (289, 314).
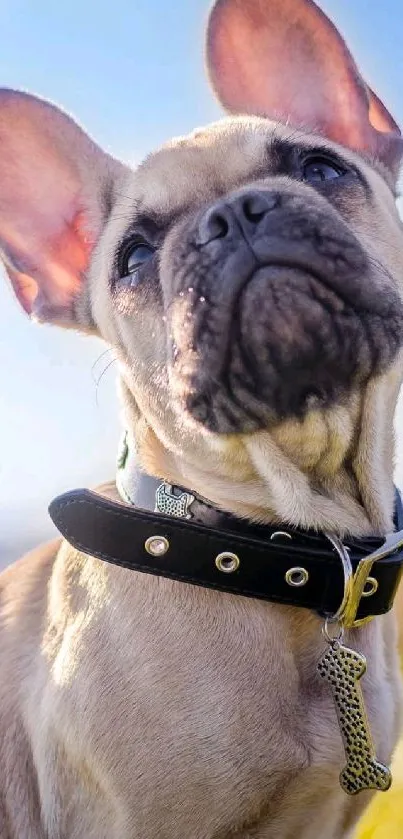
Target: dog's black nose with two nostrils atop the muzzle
(228, 215)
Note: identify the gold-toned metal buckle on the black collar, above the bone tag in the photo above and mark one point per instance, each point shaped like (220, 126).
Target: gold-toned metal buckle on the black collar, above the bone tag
(354, 584)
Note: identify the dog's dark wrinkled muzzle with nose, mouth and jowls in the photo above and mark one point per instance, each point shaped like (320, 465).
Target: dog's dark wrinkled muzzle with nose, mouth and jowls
(275, 308)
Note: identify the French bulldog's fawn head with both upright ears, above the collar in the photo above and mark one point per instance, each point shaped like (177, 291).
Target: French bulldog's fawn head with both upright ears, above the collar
(249, 276)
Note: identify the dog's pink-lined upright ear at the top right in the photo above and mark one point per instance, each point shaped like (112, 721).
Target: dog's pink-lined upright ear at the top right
(284, 59)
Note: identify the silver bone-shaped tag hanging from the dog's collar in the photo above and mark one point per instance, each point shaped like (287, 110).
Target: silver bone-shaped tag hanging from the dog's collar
(343, 668)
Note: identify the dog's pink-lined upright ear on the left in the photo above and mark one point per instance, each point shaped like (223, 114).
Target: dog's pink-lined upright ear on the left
(52, 185)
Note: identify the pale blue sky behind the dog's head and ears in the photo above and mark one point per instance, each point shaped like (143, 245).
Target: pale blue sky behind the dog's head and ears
(132, 74)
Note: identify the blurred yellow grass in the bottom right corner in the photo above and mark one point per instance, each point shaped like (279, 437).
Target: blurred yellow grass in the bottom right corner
(384, 817)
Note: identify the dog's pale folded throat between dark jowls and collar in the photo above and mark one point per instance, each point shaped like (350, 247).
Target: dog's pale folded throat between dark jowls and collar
(259, 476)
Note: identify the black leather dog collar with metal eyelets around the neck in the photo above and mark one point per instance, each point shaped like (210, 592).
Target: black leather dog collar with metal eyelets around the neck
(217, 550)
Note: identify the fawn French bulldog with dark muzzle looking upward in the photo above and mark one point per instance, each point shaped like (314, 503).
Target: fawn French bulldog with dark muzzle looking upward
(249, 280)
